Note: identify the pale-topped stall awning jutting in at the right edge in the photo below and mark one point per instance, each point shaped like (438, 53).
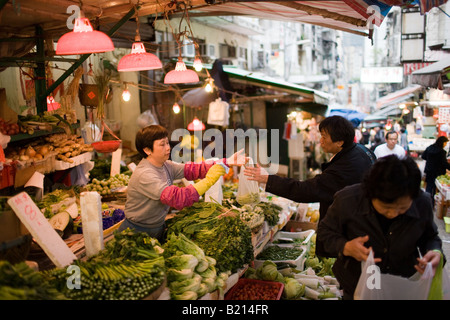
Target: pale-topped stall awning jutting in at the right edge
(434, 75)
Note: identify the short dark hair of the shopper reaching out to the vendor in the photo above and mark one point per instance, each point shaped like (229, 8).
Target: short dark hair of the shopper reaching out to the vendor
(339, 129)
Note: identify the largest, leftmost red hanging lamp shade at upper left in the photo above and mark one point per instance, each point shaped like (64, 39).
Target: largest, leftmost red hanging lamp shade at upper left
(83, 39)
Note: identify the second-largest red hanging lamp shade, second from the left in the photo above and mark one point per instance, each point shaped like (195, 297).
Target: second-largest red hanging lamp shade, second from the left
(139, 60)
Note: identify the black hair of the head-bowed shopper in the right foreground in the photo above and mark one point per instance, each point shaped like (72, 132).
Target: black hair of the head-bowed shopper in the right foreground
(391, 178)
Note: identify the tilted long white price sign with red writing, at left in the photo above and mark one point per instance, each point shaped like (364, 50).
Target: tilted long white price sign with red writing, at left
(41, 230)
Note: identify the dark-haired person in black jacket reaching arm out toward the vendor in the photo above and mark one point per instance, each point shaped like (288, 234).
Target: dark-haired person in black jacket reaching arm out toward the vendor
(349, 162)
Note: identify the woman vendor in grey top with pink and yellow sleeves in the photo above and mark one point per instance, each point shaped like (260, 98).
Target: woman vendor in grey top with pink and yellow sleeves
(151, 192)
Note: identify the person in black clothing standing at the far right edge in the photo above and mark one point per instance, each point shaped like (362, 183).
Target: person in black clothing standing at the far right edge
(436, 163)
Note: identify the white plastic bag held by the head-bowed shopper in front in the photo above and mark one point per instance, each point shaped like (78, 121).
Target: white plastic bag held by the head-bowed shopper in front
(374, 285)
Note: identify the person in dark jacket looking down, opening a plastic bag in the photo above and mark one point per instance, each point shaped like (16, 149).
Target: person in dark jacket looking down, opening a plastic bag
(388, 213)
